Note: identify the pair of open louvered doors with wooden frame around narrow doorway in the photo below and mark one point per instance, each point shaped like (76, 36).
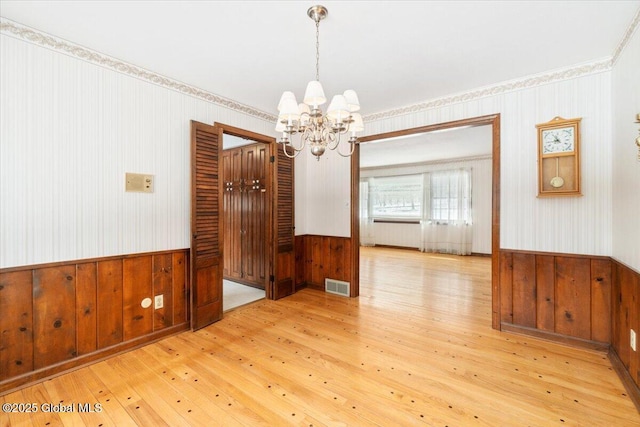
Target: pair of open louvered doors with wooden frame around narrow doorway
(207, 226)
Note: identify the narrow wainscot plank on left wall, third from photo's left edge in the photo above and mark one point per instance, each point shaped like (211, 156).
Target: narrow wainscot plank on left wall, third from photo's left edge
(86, 308)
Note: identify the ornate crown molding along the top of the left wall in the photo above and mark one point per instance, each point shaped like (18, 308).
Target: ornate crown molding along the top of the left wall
(21, 32)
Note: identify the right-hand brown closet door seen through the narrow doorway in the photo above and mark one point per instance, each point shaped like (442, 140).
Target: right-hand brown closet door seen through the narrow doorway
(254, 210)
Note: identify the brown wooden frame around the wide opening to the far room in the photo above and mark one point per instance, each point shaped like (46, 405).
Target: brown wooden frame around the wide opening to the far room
(492, 120)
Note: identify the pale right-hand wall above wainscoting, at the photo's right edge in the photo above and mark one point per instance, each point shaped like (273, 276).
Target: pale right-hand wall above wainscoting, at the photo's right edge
(626, 166)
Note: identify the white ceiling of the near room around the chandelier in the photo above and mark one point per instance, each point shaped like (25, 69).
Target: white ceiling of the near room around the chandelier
(393, 53)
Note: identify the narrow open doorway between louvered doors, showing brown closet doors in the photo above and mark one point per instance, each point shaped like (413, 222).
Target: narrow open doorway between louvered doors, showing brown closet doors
(246, 195)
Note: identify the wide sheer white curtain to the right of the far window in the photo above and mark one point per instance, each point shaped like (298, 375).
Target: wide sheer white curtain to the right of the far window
(447, 225)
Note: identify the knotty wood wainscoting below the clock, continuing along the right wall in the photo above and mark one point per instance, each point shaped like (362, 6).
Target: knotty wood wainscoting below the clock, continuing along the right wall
(586, 301)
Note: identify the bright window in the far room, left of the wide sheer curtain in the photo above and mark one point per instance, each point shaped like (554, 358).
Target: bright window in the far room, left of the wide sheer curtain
(396, 197)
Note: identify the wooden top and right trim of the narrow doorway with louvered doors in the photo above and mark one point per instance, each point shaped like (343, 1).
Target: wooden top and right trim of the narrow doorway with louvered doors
(270, 142)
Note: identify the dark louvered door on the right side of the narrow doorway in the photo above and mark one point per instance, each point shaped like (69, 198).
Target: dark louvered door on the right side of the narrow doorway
(283, 280)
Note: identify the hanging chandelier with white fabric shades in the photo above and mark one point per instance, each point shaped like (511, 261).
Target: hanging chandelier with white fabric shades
(306, 120)
